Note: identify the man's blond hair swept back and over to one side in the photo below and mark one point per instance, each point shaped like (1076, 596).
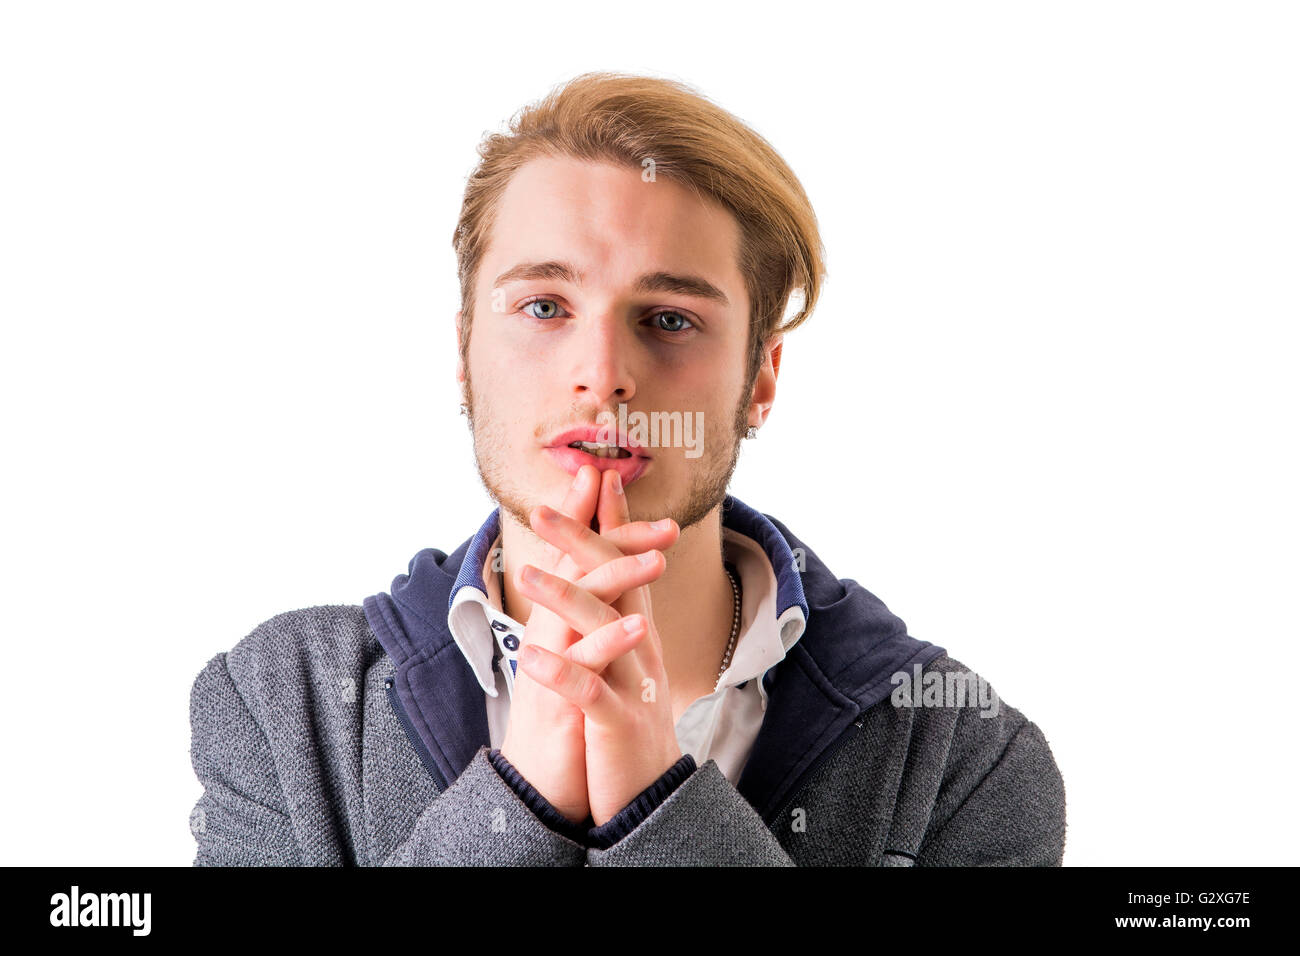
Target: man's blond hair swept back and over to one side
(626, 120)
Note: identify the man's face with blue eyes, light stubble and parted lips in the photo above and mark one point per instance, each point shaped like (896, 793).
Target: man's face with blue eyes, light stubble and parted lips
(554, 352)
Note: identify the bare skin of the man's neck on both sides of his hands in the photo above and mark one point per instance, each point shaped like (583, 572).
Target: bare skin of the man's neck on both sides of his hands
(692, 602)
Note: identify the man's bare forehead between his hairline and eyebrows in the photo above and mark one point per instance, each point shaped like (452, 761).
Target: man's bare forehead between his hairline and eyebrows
(613, 224)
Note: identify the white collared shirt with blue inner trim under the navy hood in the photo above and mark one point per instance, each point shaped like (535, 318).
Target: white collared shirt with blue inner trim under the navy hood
(721, 726)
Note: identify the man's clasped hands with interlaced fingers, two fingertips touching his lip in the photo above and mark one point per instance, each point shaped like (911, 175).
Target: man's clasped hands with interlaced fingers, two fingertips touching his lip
(591, 719)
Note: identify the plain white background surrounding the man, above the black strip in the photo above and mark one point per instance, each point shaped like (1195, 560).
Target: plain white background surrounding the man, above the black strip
(1046, 409)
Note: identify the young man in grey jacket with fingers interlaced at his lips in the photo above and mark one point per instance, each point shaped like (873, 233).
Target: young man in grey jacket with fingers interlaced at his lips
(625, 665)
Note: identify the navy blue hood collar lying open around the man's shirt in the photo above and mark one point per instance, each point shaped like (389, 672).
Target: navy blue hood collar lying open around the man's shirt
(840, 667)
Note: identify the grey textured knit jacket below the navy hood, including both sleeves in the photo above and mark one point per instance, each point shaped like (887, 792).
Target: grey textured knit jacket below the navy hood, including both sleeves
(304, 762)
